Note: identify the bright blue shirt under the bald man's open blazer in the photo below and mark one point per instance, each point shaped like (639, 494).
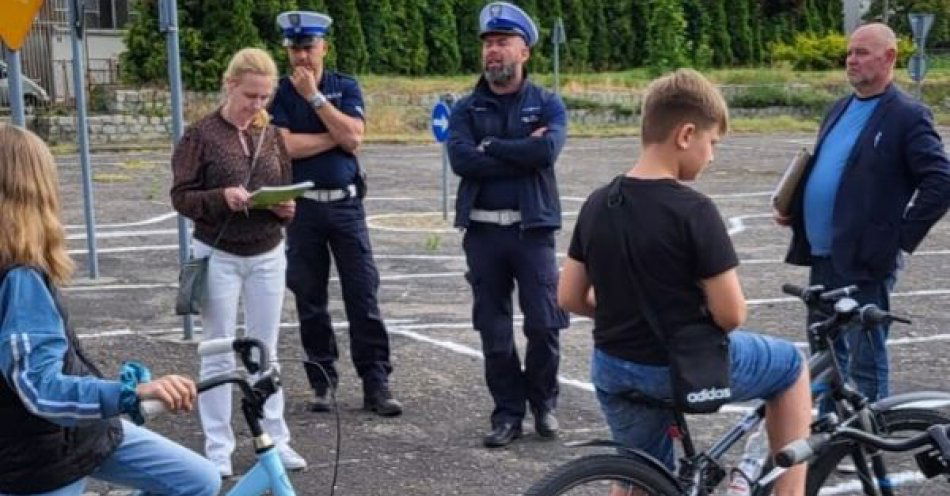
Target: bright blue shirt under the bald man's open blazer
(822, 187)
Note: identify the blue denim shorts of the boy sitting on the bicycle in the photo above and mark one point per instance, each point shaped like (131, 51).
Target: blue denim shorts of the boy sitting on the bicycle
(762, 367)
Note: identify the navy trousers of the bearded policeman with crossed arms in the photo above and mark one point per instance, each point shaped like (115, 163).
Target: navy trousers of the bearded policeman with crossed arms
(498, 257)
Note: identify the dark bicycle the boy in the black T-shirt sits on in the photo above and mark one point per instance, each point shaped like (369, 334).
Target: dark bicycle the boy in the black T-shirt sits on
(700, 473)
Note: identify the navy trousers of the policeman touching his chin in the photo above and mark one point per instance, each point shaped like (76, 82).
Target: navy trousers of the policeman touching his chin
(338, 228)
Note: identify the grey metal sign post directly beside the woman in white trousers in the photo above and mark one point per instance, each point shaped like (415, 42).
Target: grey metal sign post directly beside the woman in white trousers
(168, 24)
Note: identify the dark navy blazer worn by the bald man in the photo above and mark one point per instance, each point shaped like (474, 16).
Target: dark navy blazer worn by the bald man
(897, 154)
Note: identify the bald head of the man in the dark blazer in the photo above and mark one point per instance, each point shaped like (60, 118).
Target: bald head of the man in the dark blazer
(872, 53)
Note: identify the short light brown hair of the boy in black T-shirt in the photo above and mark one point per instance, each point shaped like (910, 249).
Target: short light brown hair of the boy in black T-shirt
(683, 96)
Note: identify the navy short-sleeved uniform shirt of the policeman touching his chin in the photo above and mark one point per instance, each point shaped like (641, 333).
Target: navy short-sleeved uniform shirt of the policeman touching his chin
(332, 169)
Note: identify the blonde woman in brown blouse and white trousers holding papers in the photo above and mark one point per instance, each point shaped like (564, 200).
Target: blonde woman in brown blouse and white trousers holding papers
(219, 159)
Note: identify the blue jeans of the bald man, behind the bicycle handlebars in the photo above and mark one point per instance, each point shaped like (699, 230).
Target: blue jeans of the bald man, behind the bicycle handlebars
(862, 353)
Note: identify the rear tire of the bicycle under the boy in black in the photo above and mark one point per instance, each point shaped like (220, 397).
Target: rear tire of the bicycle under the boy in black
(603, 469)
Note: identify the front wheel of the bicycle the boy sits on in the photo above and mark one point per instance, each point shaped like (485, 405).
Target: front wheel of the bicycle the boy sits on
(903, 476)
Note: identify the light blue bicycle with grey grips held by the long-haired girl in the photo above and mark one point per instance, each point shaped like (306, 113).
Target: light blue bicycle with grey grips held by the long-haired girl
(268, 475)
